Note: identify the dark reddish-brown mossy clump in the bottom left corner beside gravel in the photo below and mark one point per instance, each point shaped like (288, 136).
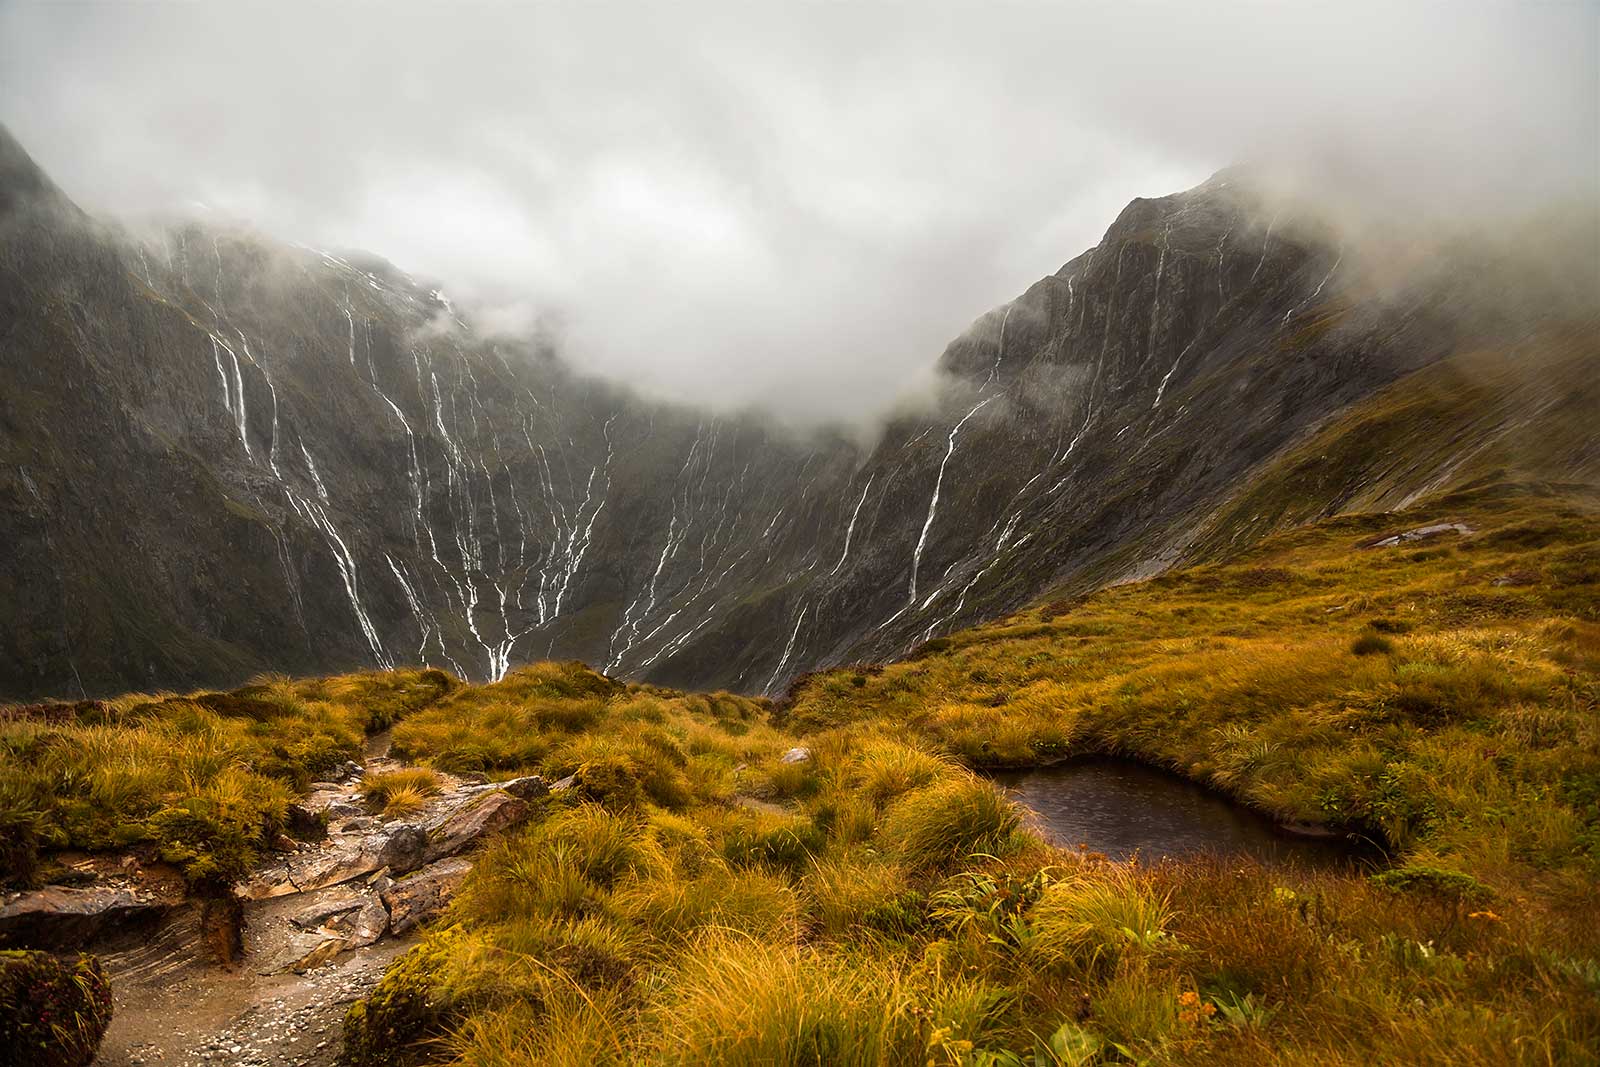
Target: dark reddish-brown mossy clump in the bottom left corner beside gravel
(52, 1013)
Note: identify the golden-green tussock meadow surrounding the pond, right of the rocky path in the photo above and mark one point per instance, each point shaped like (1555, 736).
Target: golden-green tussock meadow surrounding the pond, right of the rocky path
(697, 900)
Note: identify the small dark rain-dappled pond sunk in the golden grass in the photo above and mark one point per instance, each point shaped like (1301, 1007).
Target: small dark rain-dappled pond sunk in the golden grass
(1122, 809)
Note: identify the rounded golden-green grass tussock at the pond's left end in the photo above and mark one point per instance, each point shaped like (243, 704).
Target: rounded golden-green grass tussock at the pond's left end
(950, 821)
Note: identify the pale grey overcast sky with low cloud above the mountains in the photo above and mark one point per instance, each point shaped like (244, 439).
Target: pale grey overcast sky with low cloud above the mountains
(794, 206)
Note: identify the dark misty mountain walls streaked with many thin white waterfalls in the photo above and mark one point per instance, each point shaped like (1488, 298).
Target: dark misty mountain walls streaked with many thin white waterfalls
(223, 455)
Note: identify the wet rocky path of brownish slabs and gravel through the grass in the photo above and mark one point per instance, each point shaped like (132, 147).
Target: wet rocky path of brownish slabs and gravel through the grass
(321, 927)
